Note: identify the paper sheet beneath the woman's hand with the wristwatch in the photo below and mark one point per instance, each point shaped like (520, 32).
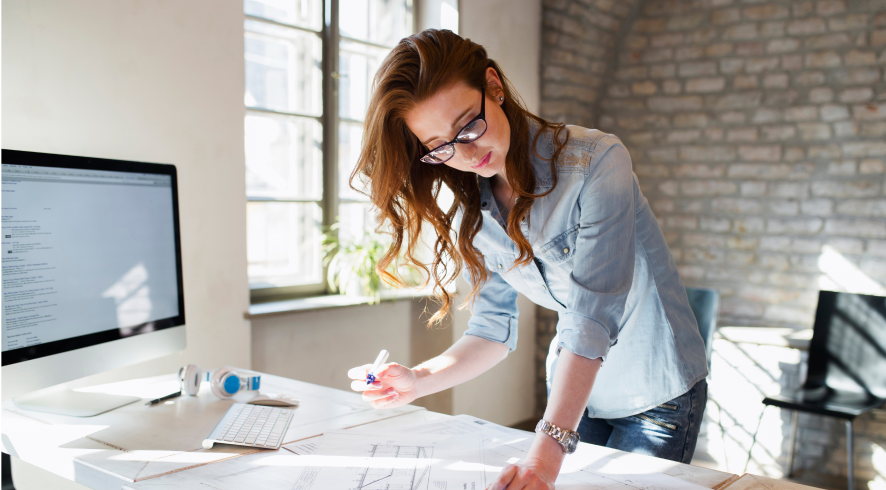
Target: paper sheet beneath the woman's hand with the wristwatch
(584, 469)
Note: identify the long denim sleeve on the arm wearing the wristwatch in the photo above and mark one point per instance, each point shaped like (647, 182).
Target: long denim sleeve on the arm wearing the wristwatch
(604, 254)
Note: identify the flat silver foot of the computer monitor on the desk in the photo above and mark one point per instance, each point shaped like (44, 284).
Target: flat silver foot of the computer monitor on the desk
(62, 401)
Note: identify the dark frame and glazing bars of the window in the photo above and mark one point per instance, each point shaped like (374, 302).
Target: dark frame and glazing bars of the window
(330, 119)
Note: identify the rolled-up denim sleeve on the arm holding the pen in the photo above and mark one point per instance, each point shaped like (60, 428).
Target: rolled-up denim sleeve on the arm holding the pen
(494, 312)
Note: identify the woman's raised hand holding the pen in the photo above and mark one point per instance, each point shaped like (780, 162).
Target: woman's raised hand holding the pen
(394, 385)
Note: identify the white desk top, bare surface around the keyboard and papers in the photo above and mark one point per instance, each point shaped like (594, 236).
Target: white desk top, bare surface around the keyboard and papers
(137, 447)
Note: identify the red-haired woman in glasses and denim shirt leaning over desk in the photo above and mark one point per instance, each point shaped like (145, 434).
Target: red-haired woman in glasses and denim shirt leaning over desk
(553, 212)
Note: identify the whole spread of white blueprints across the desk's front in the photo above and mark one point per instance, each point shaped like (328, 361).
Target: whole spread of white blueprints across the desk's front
(459, 452)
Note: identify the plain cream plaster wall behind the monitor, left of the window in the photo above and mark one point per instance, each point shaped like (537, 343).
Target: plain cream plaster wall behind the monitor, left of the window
(147, 81)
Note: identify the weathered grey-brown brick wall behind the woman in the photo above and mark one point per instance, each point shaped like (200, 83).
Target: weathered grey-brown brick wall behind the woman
(758, 132)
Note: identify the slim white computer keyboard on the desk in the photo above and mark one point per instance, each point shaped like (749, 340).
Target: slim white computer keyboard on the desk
(251, 425)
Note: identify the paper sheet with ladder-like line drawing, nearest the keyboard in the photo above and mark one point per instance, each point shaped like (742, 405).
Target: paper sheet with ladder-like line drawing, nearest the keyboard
(378, 461)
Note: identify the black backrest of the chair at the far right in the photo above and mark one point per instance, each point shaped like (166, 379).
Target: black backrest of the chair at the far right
(848, 347)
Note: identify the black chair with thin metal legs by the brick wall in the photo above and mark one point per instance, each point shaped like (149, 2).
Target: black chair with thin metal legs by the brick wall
(847, 366)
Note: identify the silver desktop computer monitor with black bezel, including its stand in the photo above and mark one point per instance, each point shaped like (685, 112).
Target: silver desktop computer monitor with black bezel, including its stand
(91, 274)
